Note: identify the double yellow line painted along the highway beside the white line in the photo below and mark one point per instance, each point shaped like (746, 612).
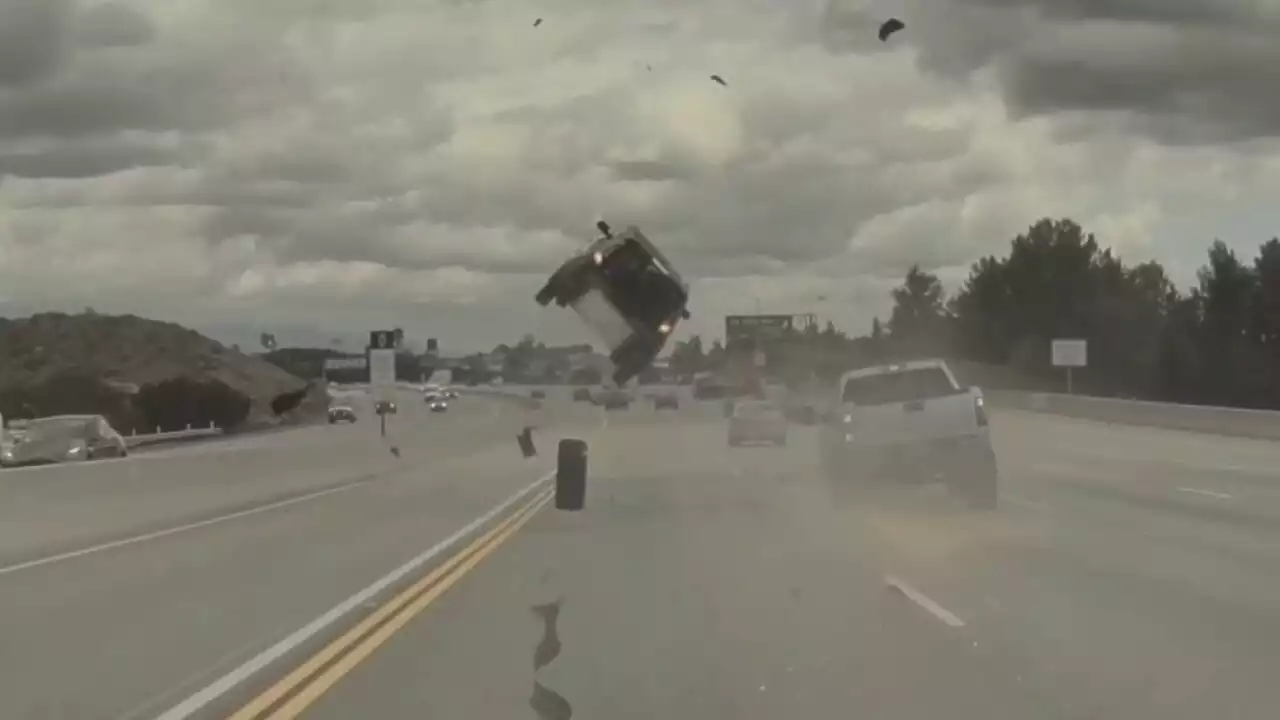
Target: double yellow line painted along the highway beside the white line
(310, 681)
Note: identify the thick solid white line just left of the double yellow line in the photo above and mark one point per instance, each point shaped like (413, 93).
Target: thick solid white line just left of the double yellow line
(228, 682)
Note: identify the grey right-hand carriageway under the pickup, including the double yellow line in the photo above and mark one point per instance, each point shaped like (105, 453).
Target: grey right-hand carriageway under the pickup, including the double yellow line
(716, 584)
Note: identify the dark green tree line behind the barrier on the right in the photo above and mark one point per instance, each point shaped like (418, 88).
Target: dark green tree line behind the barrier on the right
(1215, 344)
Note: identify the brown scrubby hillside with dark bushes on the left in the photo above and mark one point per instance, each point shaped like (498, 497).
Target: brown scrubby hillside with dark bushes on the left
(143, 375)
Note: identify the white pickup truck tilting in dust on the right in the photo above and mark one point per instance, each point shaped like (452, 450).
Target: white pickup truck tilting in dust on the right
(911, 423)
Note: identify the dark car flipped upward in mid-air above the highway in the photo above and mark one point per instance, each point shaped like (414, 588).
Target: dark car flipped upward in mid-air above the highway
(627, 291)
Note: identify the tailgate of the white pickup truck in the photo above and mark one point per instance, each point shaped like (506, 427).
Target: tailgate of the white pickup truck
(913, 422)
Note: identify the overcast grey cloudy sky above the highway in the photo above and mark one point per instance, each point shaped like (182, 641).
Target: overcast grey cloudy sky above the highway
(322, 167)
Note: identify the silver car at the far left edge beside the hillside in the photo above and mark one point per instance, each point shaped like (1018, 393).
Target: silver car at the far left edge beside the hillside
(65, 439)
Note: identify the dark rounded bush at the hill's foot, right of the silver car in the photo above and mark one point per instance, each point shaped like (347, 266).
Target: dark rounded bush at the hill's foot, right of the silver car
(181, 403)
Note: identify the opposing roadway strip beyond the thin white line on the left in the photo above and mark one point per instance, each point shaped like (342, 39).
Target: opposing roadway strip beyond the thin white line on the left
(52, 509)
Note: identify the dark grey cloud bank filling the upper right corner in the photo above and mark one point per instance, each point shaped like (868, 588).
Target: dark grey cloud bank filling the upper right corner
(1181, 71)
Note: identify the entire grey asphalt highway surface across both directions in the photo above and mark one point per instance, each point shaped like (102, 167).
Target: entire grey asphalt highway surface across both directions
(1130, 573)
